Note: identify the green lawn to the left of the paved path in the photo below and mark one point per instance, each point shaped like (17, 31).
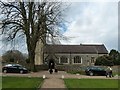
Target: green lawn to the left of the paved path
(21, 82)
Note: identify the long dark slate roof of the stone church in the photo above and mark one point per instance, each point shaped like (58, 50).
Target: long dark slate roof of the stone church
(82, 49)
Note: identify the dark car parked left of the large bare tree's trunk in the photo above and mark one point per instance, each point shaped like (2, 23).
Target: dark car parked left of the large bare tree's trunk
(14, 68)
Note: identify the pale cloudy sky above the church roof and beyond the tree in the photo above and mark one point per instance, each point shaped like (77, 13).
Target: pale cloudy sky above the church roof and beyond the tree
(89, 23)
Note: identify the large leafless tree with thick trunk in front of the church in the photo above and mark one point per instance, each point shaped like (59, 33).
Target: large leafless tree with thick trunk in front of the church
(32, 19)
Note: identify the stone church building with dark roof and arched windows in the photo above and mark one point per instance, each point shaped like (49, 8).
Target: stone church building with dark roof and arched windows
(83, 54)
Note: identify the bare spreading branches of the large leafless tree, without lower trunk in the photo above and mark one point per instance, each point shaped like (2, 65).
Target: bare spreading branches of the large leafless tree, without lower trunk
(35, 19)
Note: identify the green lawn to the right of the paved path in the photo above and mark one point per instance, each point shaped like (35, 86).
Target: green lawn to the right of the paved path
(91, 83)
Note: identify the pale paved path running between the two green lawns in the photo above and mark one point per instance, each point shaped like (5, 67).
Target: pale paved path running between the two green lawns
(53, 81)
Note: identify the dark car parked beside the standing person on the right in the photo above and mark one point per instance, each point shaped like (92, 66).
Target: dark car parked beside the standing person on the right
(95, 70)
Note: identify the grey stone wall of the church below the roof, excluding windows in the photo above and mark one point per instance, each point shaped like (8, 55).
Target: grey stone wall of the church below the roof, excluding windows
(86, 58)
